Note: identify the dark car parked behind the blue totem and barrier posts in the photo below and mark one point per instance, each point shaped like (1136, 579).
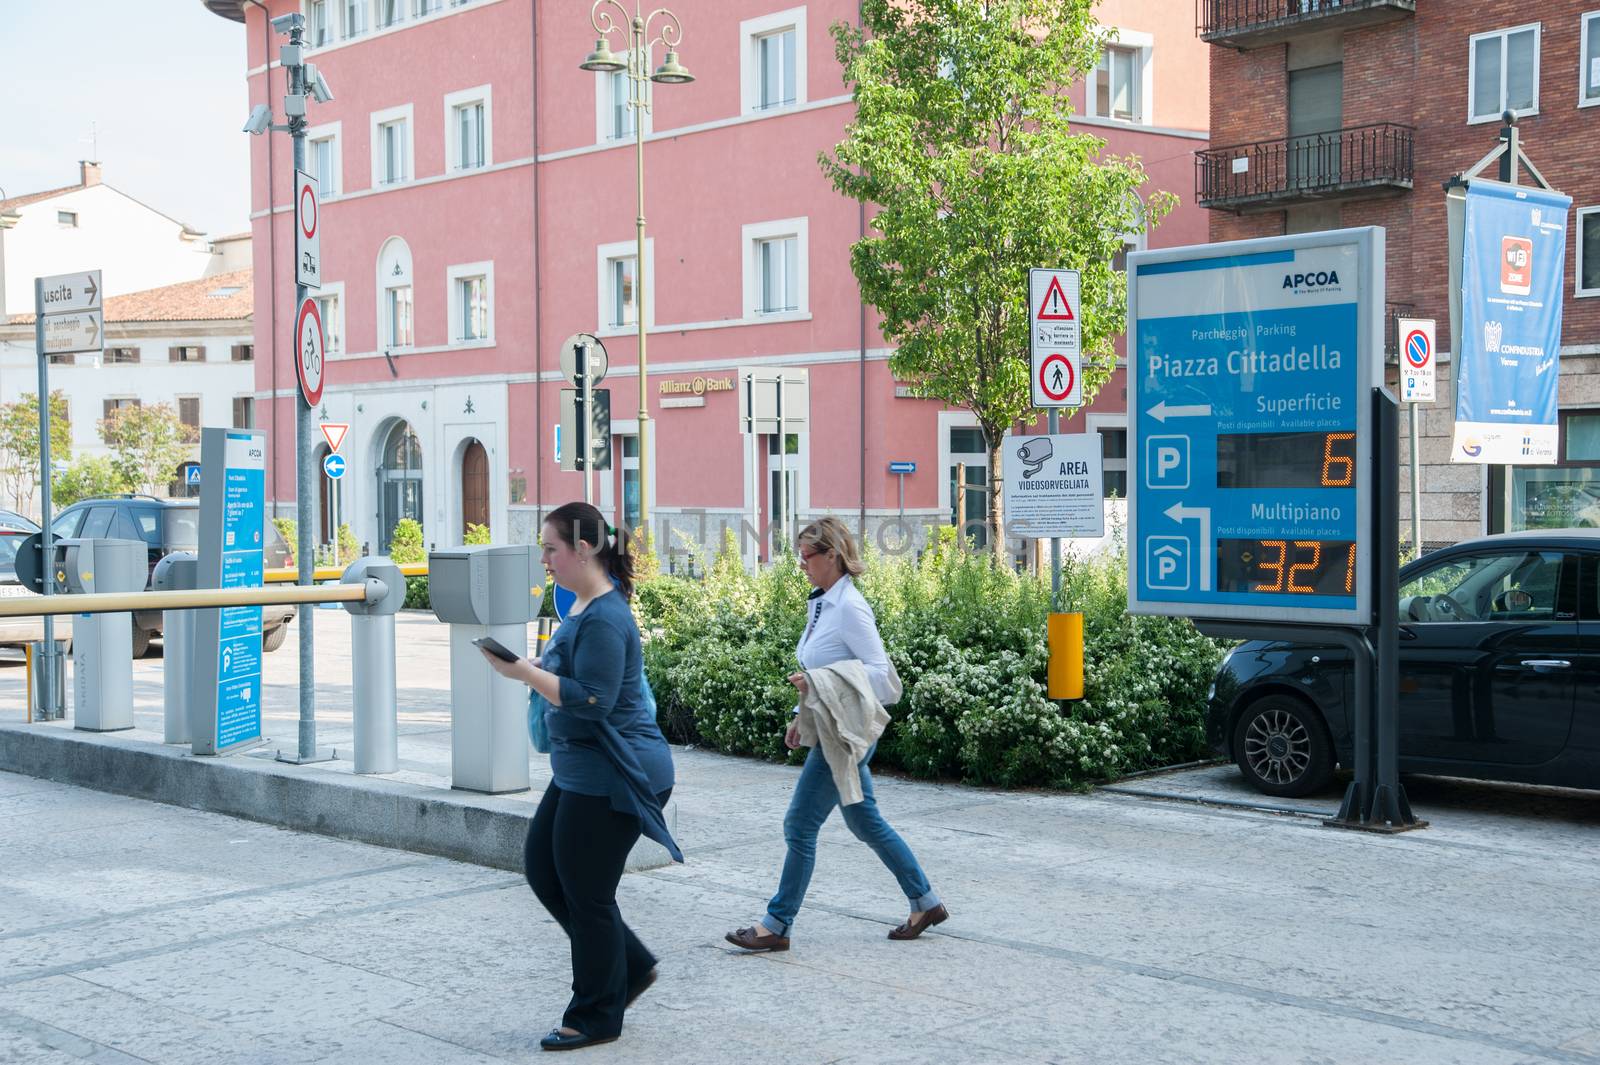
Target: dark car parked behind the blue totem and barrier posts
(167, 525)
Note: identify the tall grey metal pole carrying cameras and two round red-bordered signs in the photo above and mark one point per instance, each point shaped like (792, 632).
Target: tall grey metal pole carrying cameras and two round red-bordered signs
(305, 466)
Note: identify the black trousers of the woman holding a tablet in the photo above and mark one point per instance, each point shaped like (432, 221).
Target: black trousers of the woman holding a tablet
(574, 860)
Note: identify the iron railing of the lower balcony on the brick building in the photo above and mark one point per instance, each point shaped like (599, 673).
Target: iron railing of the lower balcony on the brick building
(1340, 164)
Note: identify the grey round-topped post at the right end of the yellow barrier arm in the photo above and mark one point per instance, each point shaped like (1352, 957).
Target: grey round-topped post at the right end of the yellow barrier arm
(374, 663)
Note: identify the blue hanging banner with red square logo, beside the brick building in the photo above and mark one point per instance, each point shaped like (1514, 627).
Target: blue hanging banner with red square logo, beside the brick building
(1513, 263)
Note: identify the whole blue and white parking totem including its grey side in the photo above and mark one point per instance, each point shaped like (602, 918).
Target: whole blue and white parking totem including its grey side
(228, 640)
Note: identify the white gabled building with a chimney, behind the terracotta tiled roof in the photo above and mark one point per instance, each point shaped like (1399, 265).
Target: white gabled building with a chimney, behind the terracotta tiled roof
(92, 226)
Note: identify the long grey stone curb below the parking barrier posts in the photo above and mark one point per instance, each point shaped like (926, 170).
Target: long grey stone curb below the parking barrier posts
(462, 826)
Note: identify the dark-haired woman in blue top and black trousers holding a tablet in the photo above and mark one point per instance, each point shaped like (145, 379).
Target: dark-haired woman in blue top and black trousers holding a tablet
(612, 773)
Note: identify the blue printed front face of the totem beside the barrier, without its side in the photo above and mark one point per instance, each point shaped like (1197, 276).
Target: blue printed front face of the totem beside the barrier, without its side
(239, 639)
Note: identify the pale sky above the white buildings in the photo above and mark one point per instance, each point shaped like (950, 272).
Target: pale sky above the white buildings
(159, 84)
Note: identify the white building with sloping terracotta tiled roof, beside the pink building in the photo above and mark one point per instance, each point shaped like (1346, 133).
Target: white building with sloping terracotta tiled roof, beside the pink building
(190, 346)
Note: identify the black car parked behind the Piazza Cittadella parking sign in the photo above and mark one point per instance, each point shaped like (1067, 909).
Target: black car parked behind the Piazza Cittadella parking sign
(1500, 676)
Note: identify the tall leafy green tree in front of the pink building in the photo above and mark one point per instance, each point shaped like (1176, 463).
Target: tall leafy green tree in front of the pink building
(962, 151)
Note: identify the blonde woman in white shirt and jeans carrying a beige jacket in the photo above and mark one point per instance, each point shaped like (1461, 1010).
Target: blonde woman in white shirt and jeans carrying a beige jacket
(839, 626)
